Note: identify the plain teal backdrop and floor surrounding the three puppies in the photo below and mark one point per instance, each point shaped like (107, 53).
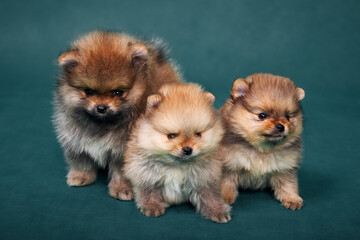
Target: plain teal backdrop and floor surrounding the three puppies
(315, 43)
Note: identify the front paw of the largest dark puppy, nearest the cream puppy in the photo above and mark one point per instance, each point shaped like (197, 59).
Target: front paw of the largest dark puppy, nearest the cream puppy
(121, 190)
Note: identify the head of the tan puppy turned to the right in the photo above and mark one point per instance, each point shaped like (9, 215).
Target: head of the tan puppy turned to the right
(266, 110)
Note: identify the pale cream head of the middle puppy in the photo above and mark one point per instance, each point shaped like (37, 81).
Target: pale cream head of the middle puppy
(181, 123)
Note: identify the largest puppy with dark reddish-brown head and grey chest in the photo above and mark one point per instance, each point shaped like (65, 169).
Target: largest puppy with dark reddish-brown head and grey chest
(102, 89)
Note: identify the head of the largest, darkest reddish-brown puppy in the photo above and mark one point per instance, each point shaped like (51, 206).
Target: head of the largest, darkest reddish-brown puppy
(100, 76)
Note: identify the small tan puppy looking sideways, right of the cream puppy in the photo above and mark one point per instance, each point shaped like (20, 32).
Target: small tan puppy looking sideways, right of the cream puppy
(262, 142)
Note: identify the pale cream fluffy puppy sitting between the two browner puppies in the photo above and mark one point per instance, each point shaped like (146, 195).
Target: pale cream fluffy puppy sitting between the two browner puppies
(170, 155)
